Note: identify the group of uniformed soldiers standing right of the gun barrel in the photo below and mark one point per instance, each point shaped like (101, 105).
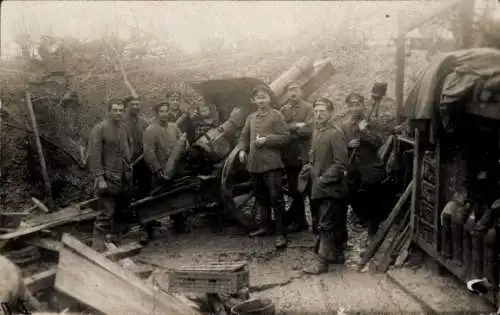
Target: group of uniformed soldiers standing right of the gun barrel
(333, 163)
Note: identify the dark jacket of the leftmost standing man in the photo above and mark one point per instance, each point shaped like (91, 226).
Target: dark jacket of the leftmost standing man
(110, 152)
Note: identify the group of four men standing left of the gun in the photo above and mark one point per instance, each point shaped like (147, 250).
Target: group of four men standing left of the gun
(125, 155)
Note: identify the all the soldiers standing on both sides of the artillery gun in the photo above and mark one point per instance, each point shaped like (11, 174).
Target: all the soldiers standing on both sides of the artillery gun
(334, 164)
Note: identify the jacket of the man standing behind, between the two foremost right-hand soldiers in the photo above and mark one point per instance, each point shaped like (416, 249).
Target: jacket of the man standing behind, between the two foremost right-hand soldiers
(296, 152)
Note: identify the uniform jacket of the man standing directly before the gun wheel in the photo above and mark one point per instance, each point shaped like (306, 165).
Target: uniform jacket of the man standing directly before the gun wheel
(270, 124)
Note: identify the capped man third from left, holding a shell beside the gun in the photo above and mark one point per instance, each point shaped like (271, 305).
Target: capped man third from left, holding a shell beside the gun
(159, 140)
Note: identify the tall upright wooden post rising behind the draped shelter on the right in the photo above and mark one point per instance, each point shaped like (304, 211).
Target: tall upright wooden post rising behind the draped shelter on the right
(400, 70)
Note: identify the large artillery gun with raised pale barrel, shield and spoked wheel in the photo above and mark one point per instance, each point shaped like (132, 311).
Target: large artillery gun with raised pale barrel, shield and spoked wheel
(210, 174)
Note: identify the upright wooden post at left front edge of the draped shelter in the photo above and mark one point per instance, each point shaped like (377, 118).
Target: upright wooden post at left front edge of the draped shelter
(417, 182)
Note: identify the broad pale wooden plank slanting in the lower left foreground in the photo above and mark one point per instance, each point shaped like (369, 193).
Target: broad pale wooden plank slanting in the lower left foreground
(97, 281)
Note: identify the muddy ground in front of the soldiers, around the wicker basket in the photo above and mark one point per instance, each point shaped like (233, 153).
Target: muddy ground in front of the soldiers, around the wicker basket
(277, 275)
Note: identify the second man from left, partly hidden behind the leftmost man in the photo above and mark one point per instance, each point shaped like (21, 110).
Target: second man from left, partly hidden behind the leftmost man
(135, 126)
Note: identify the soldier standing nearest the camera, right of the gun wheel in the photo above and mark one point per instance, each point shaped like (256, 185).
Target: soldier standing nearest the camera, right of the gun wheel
(328, 164)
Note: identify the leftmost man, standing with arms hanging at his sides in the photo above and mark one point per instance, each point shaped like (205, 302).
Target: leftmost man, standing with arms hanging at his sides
(110, 152)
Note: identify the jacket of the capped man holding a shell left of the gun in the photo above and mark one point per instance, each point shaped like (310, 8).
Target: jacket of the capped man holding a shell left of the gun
(159, 142)
